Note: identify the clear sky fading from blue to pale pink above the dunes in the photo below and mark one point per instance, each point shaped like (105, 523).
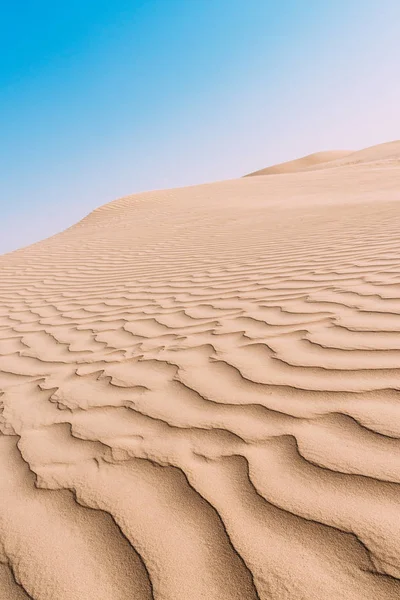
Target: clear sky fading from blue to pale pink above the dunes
(103, 99)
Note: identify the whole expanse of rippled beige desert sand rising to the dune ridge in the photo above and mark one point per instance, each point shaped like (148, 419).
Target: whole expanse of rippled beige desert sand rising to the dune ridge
(200, 394)
